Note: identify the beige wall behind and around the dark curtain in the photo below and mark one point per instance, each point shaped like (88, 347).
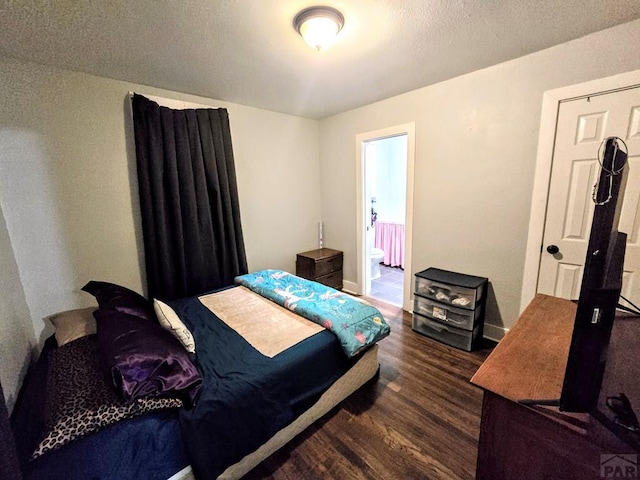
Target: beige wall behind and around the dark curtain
(68, 186)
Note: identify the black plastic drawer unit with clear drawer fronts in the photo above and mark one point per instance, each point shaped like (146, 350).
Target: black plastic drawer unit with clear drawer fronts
(450, 307)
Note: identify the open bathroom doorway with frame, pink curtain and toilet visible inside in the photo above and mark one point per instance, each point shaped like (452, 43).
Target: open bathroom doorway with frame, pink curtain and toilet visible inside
(385, 197)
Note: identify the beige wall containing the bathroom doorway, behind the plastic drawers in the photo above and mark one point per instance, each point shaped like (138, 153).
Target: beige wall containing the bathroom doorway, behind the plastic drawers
(476, 141)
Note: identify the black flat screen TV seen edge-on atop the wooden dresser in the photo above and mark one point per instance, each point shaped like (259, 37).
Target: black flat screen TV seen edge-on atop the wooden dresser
(600, 288)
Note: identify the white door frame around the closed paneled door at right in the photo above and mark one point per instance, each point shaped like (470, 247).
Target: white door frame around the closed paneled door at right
(544, 159)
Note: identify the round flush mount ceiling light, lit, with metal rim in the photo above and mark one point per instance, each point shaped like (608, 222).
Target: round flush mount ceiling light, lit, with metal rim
(318, 25)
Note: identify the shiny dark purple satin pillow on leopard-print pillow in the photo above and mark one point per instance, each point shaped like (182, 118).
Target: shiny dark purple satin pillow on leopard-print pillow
(143, 359)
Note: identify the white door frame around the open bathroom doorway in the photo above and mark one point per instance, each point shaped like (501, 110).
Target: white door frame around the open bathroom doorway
(362, 217)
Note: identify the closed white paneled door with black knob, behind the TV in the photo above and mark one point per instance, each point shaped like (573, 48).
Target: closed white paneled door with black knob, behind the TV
(582, 126)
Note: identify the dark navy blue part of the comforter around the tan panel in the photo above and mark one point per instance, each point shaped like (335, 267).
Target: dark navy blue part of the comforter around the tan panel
(247, 397)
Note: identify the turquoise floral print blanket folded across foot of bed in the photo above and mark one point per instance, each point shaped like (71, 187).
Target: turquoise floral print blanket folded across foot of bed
(356, 323)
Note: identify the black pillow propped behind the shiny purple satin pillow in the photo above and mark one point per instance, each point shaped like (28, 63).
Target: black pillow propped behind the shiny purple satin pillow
(115, 297)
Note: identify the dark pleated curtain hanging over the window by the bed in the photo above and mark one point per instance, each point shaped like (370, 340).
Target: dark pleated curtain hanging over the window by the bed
(188, 198)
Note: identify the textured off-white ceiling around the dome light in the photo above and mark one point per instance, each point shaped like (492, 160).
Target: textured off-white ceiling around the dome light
(247, 52)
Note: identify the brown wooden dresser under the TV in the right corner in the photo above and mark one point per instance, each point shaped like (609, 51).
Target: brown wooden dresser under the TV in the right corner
(534, 442)
